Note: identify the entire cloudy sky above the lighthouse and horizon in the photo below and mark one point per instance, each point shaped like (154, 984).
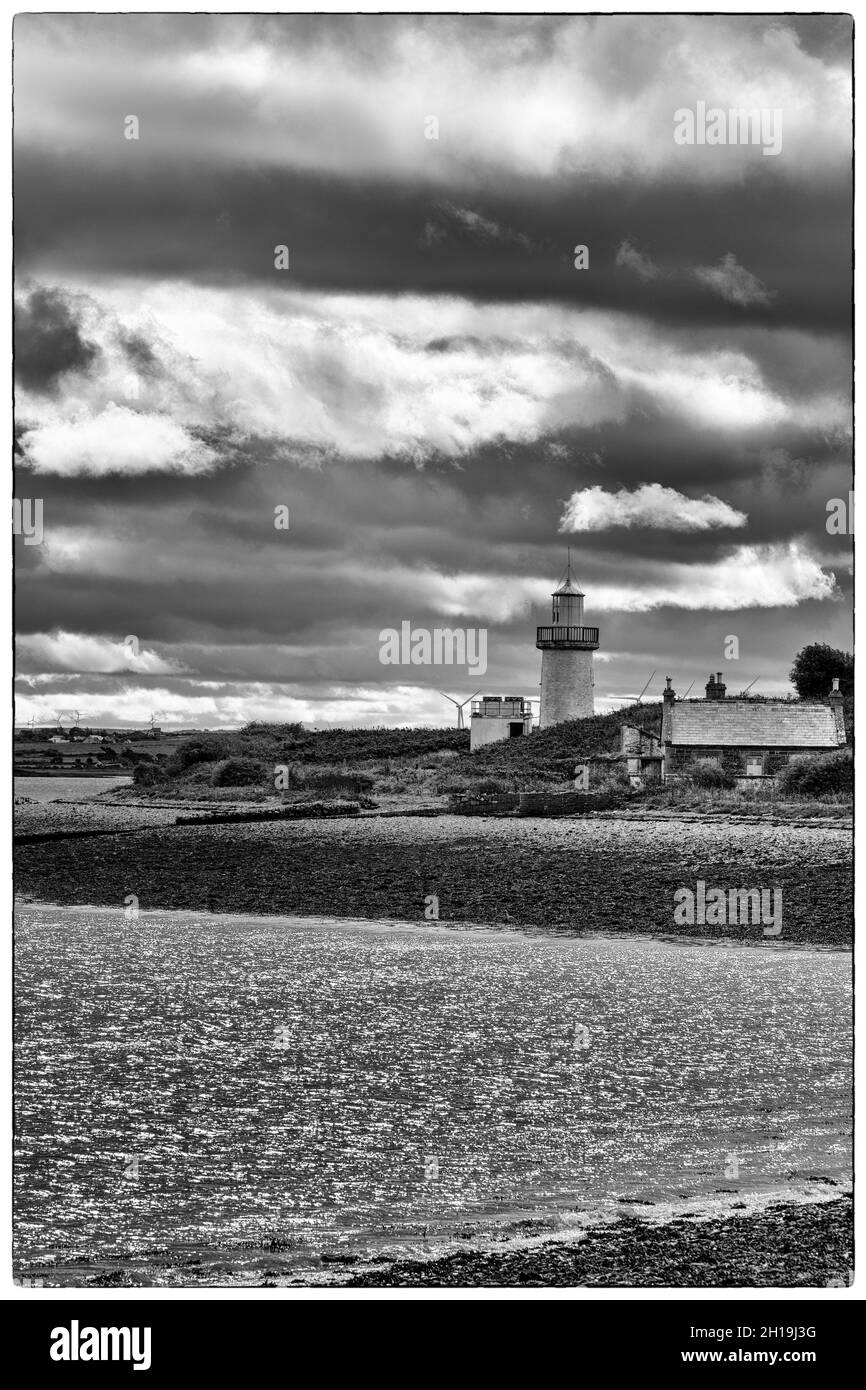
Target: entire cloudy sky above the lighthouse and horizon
(436, 393)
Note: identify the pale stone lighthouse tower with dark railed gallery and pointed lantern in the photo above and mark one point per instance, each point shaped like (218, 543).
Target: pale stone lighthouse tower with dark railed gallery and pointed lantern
(566, 648)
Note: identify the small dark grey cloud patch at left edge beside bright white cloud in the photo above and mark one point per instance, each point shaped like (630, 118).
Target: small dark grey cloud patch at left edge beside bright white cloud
(49, 340)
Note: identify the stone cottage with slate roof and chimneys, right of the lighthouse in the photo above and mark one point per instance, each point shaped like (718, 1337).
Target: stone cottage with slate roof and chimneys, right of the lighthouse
(749, 739)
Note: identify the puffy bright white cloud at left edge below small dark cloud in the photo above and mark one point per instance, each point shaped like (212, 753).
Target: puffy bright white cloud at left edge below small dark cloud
(116, 441)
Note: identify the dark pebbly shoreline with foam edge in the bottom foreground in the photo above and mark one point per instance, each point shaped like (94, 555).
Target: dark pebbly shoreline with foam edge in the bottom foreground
(744, 1241)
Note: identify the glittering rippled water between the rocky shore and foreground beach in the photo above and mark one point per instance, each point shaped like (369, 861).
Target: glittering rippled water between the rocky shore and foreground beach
(247, 1093)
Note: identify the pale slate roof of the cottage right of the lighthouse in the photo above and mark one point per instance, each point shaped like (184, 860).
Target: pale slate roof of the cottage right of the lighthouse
(742, 723)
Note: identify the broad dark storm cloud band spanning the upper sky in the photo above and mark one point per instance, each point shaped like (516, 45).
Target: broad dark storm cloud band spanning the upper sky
(370, 238)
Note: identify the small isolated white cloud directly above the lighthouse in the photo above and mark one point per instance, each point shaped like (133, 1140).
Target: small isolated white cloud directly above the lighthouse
(651, 507)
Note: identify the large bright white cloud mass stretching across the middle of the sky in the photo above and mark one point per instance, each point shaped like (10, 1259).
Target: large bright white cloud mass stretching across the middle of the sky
(357, 375)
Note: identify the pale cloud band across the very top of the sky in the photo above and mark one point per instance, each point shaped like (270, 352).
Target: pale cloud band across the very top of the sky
(526, 97)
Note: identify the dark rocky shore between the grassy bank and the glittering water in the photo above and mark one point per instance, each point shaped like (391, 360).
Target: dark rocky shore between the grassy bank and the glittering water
(554, 876)
